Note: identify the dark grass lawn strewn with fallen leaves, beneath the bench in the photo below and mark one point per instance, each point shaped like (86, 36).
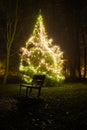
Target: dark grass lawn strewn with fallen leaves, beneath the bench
(59, 108)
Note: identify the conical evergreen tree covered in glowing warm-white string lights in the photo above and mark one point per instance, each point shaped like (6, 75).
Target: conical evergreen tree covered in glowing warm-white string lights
(40, 56)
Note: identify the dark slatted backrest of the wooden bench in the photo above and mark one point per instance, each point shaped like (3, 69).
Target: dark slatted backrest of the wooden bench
(38, 80)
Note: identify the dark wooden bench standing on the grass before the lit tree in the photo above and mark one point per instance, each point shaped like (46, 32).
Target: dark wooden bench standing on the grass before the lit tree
(37, 83)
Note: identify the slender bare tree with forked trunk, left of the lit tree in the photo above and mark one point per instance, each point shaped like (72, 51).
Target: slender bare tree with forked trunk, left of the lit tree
(11, 26)
